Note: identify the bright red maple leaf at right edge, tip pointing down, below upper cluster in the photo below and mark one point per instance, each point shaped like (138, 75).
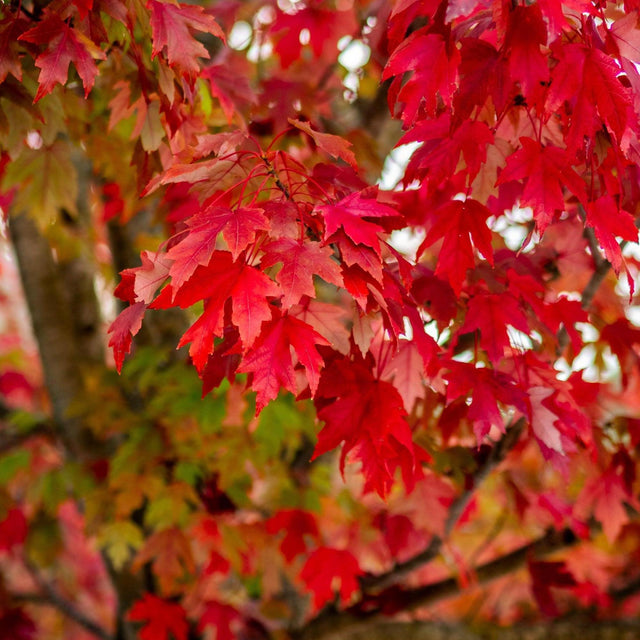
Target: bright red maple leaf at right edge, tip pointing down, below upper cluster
(608, 222)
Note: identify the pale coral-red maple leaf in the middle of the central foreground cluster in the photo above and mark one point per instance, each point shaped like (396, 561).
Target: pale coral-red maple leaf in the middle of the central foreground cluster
(300, 260)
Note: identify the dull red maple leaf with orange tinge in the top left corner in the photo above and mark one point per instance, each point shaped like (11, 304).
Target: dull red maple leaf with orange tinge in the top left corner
(65, 45)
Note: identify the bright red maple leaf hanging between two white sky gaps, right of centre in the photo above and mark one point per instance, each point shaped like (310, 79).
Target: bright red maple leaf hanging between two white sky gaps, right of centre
(457, 224)
